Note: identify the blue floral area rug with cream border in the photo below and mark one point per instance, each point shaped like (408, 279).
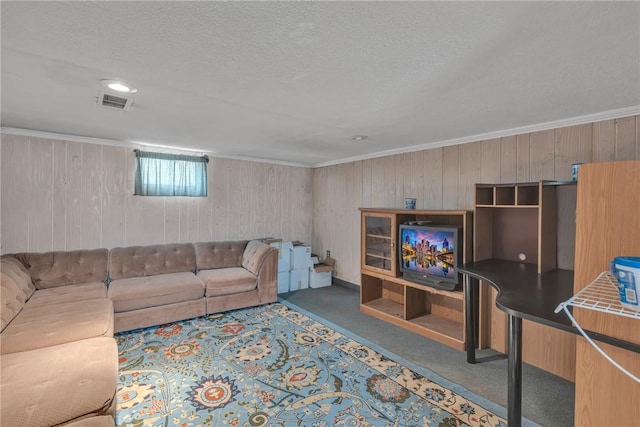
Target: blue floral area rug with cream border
(272, 365)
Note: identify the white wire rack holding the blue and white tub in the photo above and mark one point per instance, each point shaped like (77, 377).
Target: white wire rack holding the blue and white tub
(600, 295)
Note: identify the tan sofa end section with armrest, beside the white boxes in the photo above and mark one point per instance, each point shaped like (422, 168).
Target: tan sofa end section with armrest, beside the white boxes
(237, 274)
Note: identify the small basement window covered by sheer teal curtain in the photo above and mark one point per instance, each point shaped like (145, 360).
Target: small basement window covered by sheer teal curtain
(159, 174)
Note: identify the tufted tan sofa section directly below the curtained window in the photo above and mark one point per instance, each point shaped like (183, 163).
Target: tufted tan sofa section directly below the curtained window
(152, 285)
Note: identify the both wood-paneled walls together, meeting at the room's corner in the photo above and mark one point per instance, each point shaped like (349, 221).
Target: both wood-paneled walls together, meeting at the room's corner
(63, 195)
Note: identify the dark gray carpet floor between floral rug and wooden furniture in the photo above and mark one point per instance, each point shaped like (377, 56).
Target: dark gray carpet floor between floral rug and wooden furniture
(546, 399)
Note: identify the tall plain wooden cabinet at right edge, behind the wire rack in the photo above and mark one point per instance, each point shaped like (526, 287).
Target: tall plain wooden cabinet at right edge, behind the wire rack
(607, 225)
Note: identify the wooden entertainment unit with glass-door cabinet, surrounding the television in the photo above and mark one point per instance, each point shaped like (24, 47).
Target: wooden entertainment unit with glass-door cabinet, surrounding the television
(385, 294)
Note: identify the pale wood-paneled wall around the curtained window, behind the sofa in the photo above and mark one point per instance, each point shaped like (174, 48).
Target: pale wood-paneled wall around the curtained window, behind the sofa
(63, 195)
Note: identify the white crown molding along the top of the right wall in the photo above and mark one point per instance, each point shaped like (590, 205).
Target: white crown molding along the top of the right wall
(580, 120)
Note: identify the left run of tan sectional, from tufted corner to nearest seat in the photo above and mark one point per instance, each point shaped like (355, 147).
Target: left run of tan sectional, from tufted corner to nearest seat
(59, 360)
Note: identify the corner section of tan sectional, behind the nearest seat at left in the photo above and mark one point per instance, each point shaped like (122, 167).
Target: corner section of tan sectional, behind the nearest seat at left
(68, 304)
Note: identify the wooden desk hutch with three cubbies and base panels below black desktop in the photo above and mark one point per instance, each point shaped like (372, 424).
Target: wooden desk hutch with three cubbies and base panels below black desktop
(523, 222)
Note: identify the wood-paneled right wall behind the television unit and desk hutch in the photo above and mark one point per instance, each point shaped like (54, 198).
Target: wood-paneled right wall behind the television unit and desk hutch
(444, 178)
